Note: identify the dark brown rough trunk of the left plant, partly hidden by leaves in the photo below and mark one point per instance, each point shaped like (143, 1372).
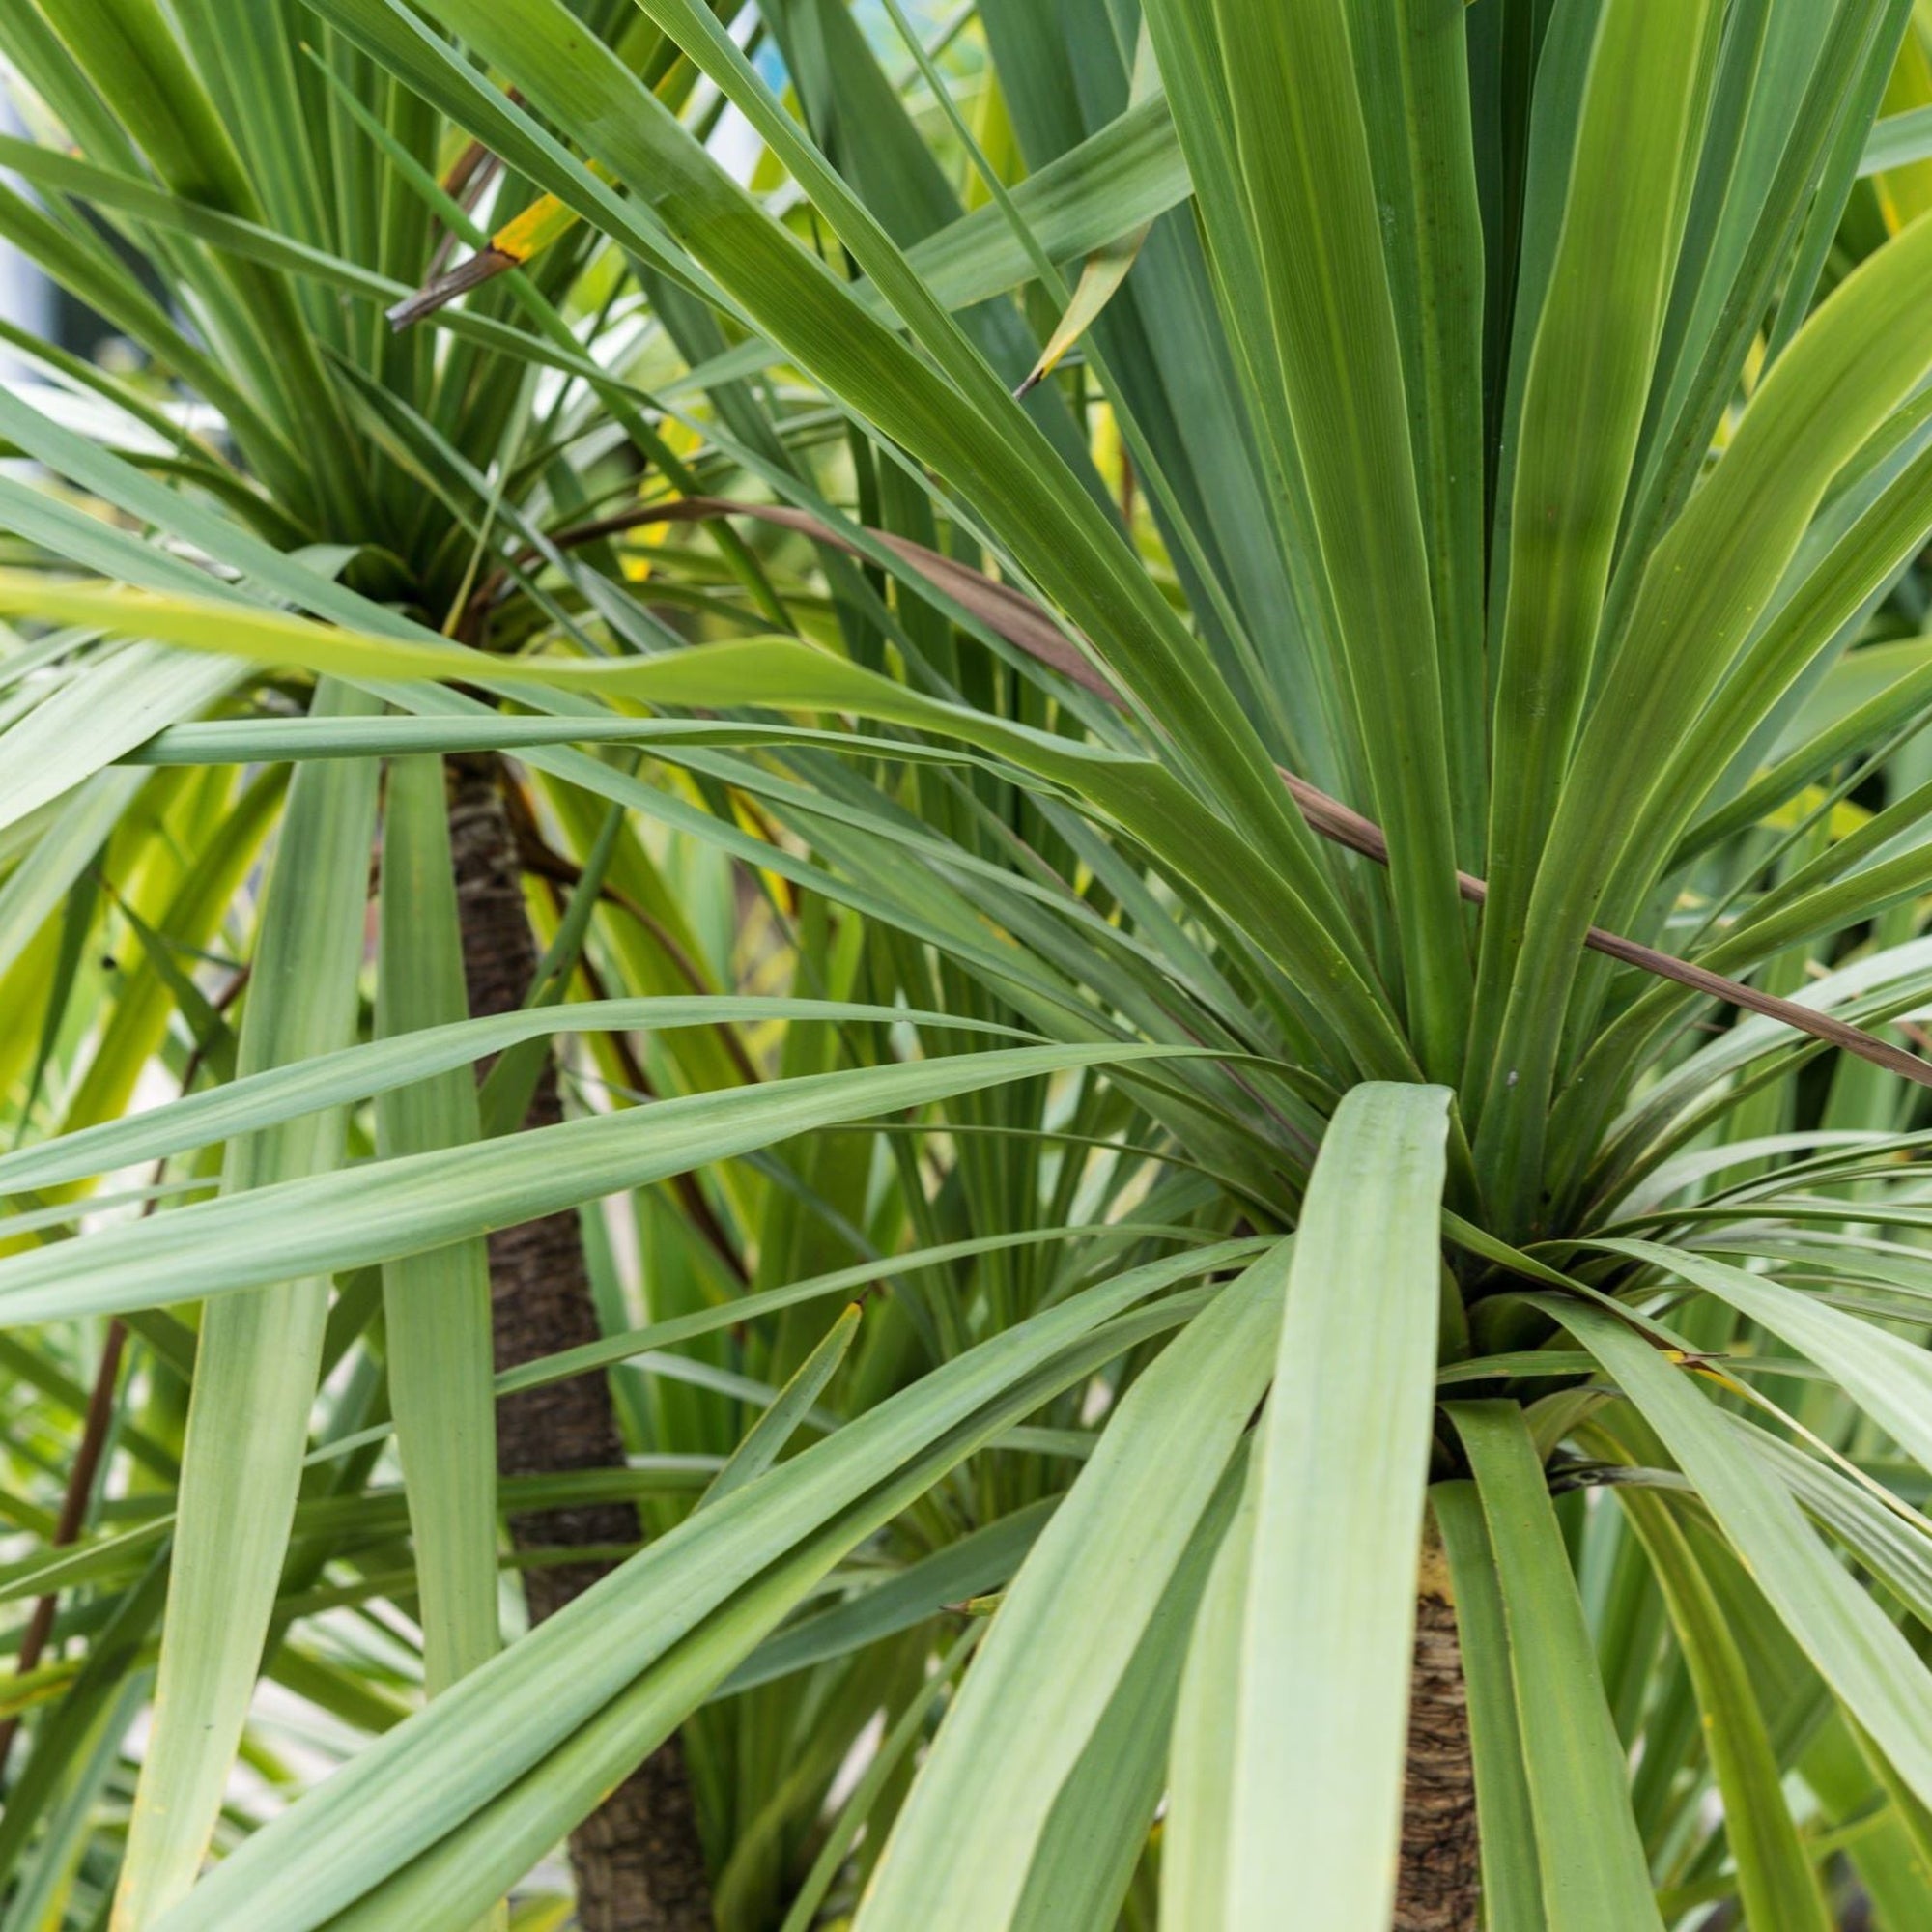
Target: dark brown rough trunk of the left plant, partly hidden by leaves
(639, 1860)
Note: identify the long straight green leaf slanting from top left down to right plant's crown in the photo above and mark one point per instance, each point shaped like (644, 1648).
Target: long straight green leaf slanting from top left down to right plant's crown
(988, 451)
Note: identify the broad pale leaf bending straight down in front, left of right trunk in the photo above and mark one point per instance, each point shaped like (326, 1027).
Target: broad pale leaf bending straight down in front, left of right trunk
(1317, 1751)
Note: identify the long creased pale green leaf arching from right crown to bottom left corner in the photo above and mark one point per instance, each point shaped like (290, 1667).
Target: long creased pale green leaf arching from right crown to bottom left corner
(420, 1782)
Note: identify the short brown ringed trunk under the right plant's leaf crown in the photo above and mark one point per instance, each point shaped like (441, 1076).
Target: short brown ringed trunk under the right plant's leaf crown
(1440, 1875)
